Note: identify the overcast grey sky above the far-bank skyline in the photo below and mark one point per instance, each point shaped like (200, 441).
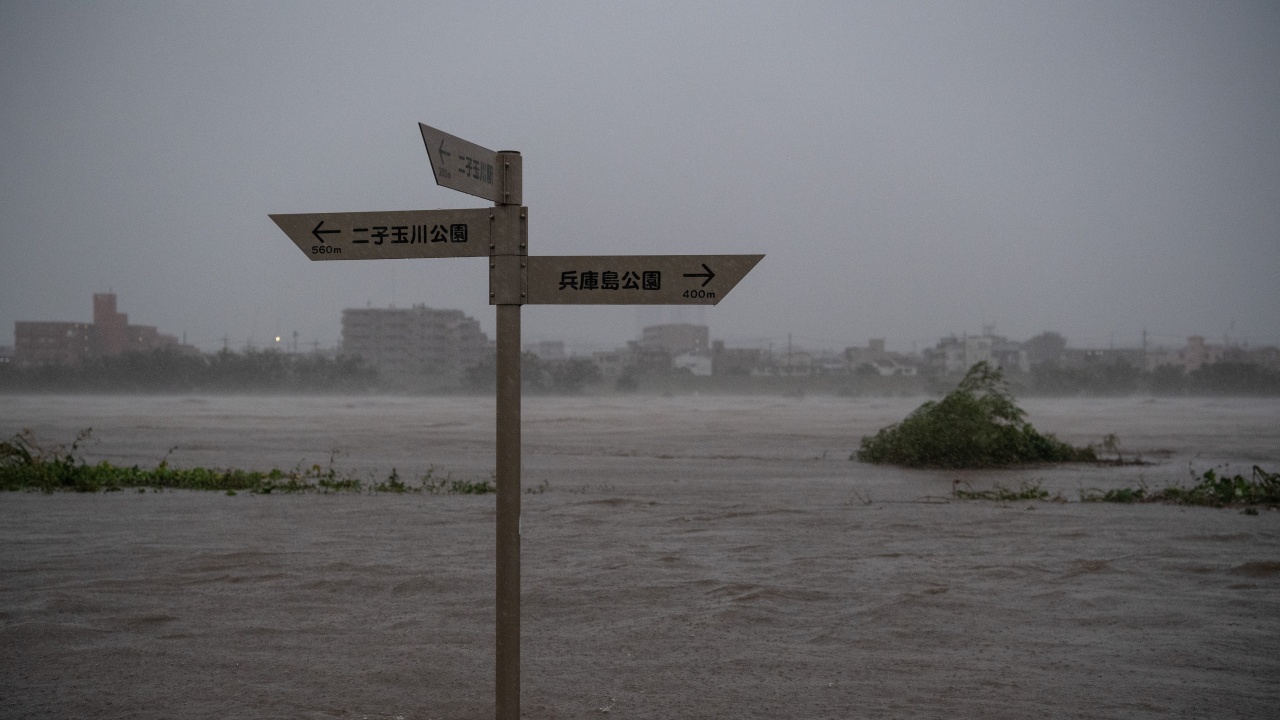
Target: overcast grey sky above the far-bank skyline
(911, 170)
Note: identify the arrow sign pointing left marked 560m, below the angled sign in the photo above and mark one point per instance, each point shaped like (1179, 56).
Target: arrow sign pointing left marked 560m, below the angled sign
(392, 235)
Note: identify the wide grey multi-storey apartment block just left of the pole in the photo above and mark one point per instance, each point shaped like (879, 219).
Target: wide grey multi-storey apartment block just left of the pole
(414, 343)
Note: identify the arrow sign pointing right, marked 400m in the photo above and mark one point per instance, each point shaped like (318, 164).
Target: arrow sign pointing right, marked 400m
(636, 280)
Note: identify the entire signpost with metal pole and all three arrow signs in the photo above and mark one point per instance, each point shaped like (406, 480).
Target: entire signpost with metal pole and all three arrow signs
(501, 234)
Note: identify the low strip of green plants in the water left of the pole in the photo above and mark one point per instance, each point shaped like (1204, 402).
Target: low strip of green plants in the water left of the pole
(29, 466)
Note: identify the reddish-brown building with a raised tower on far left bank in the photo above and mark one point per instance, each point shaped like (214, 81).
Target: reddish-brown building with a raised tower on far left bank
(71, 344)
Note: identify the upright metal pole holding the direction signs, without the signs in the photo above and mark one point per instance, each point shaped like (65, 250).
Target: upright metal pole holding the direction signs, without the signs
(508, 291)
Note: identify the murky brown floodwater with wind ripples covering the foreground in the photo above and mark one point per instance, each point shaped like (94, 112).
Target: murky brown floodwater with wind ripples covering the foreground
(691, 558)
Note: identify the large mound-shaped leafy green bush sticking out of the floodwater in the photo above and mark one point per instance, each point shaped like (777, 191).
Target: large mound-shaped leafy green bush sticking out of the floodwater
(976, 426)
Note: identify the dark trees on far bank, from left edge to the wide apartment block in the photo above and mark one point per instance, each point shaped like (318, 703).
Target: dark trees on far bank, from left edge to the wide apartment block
(173, 371)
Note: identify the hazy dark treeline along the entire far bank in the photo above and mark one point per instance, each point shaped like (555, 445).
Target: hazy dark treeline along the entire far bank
(170, 371)
